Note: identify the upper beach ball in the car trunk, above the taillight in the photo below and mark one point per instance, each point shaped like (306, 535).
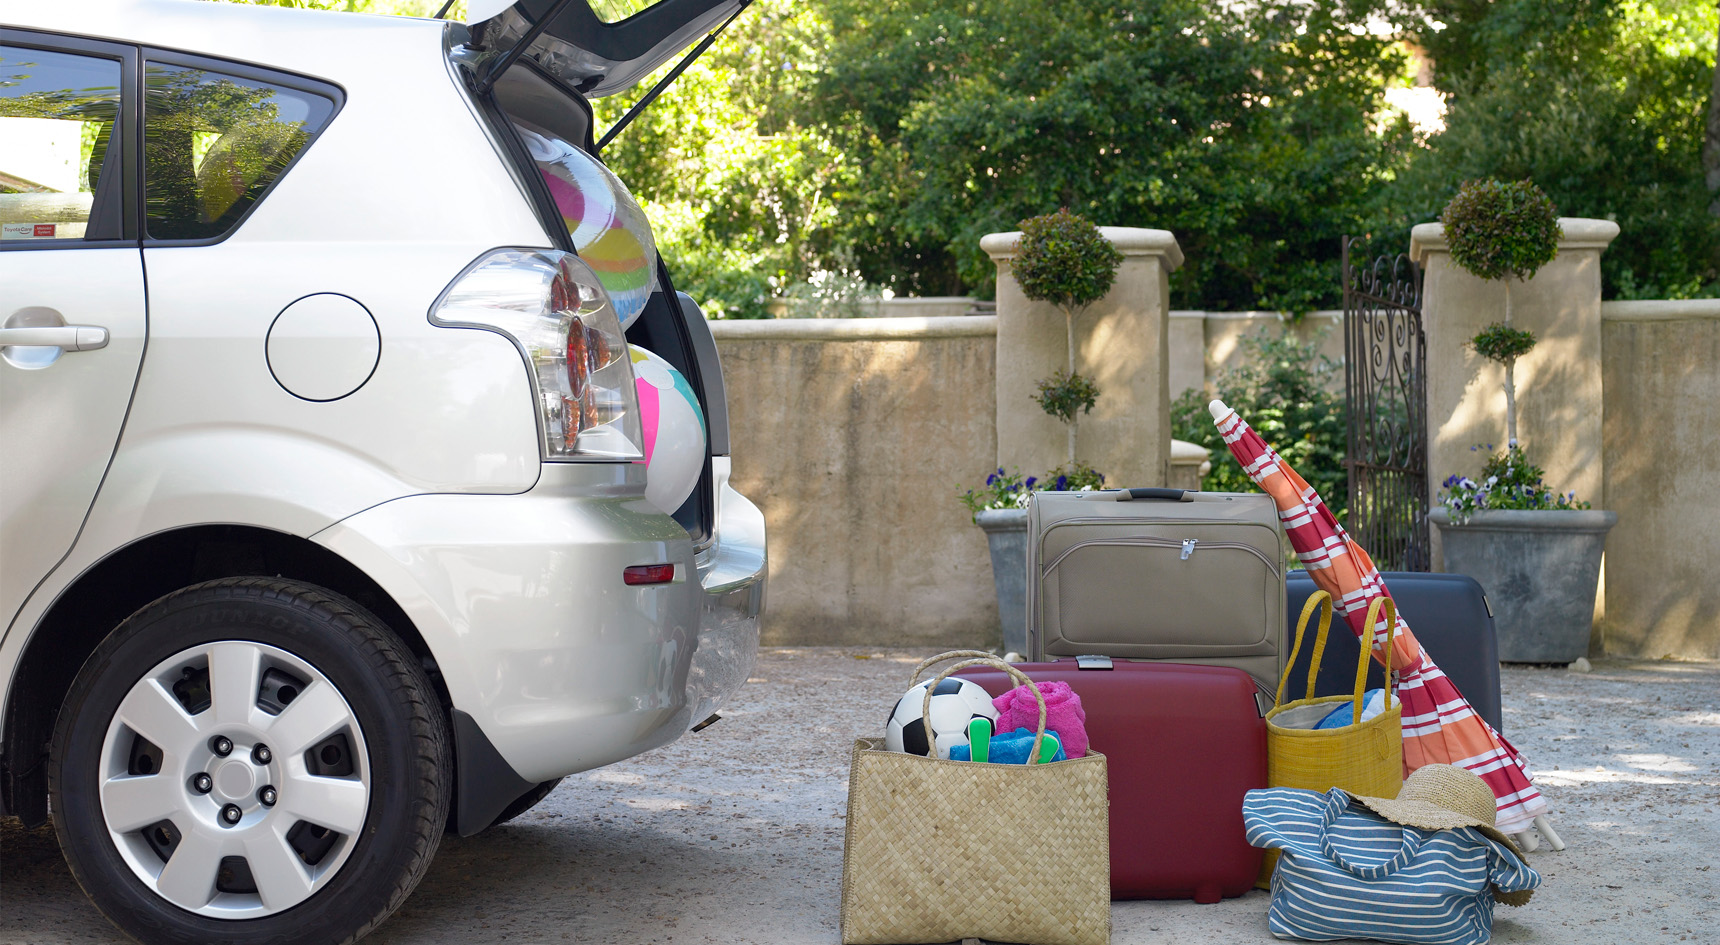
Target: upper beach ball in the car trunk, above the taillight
(608, 228)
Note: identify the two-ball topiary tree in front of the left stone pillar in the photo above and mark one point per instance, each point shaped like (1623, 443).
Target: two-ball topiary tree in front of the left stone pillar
(1066, 261)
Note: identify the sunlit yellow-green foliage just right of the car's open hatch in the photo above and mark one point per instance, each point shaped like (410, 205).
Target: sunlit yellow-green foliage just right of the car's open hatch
(740, 187)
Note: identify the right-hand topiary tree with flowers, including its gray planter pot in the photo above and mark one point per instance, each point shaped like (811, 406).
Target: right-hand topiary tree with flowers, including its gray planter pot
(1535, 550)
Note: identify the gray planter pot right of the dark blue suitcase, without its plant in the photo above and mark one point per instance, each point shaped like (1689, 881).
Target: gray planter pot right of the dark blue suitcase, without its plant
(1540, 571)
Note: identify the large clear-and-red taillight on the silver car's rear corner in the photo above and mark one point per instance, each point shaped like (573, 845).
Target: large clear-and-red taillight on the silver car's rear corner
(562, 319)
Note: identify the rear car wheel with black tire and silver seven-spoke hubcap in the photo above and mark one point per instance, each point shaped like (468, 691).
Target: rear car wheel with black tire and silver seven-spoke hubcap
(252, 762)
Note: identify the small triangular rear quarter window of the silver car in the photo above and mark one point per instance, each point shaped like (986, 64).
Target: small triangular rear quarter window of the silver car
(214, 144)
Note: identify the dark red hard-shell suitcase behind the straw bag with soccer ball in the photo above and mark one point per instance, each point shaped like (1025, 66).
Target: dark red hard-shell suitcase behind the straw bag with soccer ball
(1182, 744)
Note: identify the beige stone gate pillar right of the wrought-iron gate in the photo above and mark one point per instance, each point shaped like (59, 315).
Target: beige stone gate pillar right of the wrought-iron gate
(1559, 385)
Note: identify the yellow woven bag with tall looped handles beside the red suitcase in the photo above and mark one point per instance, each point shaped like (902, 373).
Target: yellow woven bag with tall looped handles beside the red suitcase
(1365, 758)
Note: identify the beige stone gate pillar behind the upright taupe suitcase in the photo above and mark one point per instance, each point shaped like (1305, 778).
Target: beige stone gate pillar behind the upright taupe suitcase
(1122, 345)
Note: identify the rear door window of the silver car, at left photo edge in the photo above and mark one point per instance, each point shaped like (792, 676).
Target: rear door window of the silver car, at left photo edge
(58, 116)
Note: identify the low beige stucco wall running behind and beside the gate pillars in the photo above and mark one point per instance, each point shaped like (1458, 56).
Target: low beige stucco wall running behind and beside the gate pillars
(856, 436)
